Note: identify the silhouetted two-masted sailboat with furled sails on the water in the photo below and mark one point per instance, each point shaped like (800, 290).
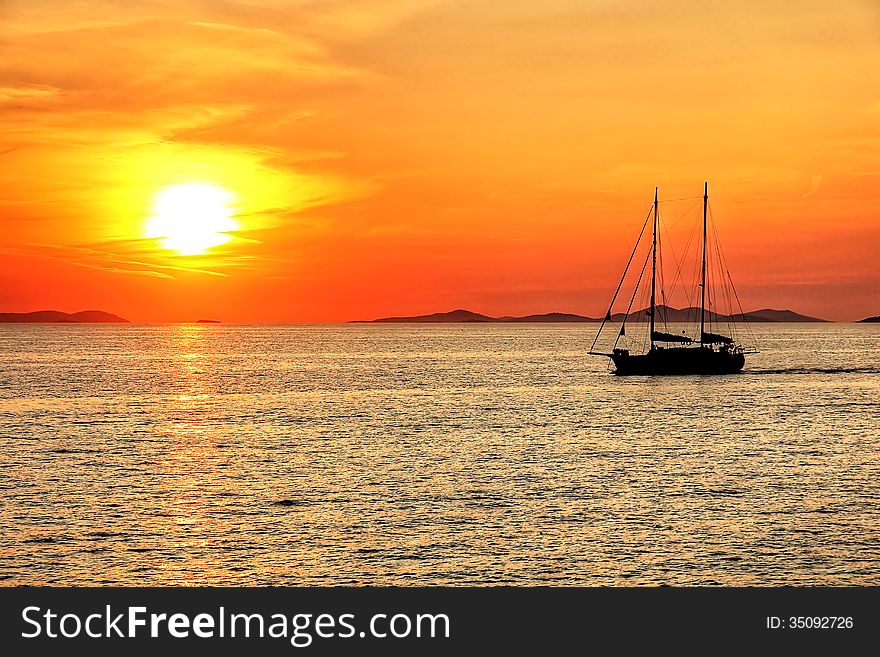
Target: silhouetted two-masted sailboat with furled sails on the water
(666, 352)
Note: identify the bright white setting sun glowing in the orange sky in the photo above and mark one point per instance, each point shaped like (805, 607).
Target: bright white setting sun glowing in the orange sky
(192, 218)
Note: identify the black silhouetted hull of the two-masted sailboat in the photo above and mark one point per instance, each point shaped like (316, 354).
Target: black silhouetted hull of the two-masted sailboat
(696, 360)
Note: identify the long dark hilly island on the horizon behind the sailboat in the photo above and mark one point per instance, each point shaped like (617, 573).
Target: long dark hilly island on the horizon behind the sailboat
(667, 313)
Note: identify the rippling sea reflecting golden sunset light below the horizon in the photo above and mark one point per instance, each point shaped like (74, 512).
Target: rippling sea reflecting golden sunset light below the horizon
(431, 454)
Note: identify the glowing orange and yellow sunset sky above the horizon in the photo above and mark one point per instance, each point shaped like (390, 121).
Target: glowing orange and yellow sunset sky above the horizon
(410, 156)
